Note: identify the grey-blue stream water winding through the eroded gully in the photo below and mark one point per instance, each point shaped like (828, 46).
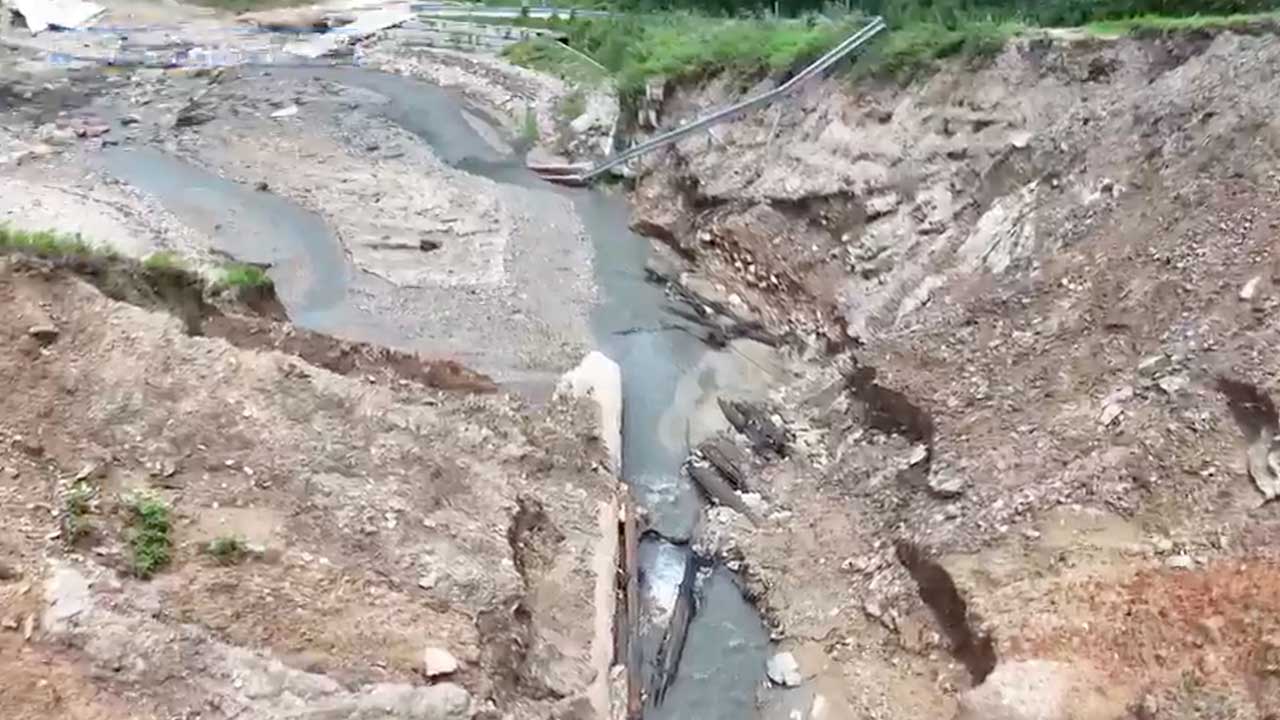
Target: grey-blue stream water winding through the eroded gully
(671, 380)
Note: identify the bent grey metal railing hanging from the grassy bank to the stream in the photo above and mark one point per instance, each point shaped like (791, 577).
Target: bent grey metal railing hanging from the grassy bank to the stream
(579, 175)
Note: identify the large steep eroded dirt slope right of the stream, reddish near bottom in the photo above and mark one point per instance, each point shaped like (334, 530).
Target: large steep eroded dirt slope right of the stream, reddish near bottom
(1053, 263)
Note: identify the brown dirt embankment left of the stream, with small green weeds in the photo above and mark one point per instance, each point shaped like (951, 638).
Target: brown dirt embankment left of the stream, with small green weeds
(377, 555)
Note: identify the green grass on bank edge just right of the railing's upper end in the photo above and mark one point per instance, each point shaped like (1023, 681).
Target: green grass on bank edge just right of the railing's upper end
(916, 51)
